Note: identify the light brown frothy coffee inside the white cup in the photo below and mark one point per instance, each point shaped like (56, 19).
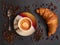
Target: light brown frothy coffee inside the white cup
(25, 24)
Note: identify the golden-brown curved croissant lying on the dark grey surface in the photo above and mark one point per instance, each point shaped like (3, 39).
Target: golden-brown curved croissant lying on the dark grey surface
(51, 19)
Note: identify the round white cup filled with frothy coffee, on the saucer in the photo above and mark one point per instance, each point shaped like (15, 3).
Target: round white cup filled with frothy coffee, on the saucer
(25, 25)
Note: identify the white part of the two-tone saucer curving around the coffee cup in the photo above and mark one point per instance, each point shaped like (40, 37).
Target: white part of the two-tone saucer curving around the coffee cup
(18, 31)
